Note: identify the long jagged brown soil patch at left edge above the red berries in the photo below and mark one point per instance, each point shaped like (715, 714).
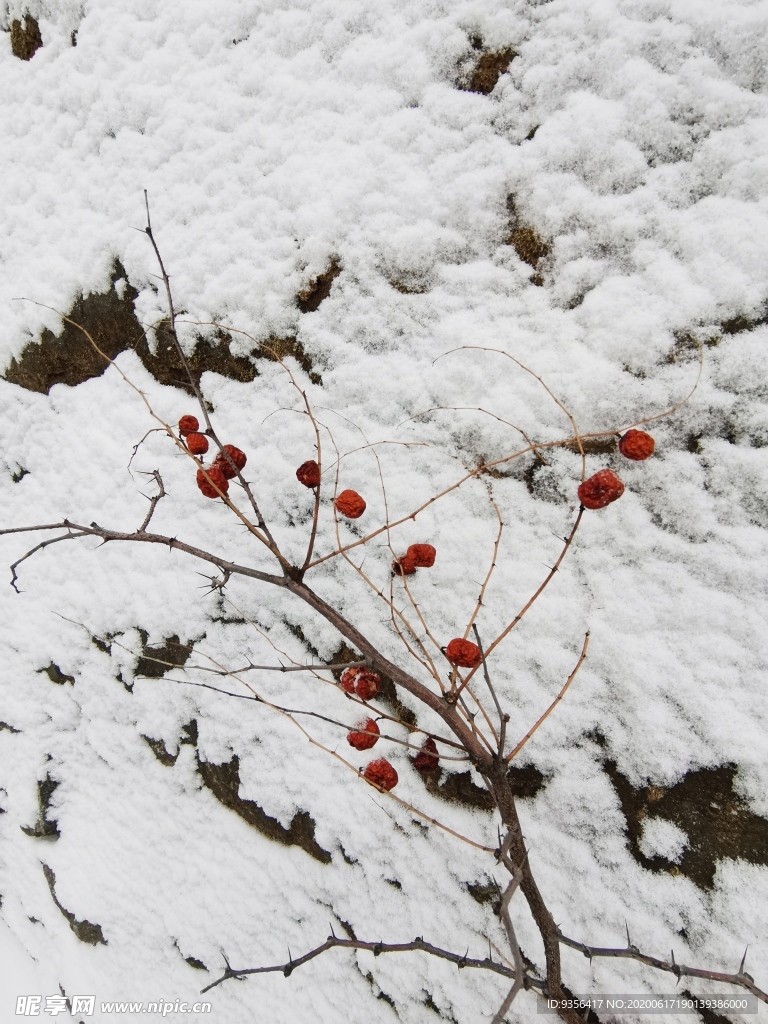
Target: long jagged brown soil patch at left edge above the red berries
(111, 321)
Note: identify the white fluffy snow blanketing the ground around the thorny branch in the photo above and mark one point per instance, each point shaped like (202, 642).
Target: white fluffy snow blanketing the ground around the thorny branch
(276, 139)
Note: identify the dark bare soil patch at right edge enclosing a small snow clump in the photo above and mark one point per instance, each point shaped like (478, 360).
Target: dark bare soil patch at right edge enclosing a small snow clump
(704, 804)
